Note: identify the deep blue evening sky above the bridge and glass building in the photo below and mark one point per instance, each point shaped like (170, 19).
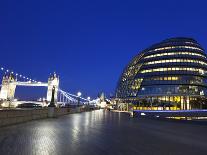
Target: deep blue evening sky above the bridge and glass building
(89, 43)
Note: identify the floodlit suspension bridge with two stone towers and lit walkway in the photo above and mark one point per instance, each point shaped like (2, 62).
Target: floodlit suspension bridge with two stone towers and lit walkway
(10, 82)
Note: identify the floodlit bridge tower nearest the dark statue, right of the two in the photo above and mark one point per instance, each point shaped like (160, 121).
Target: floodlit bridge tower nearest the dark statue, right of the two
(53, 80)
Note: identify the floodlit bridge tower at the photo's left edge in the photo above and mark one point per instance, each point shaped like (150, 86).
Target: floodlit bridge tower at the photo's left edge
(8, 87)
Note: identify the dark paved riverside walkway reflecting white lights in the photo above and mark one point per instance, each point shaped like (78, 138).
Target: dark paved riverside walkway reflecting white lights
(104, 133)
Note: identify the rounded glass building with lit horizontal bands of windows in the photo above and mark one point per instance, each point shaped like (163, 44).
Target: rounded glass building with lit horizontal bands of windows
(170, 75)
